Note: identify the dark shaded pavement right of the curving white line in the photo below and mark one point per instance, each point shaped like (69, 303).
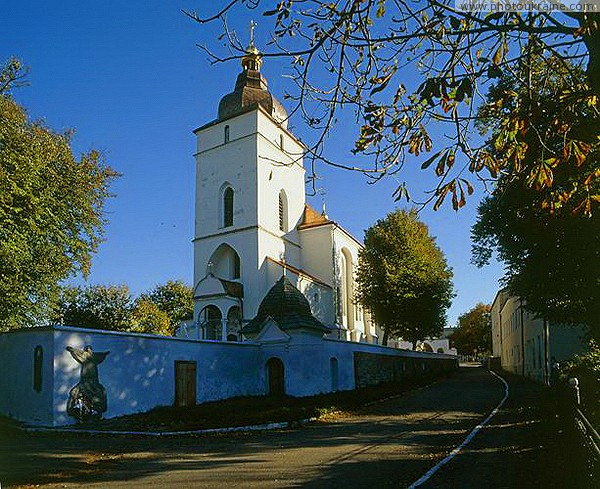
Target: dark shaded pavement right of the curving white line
(530, 443)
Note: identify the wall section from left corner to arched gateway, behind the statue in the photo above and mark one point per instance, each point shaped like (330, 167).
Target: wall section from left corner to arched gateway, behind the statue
(139, 372)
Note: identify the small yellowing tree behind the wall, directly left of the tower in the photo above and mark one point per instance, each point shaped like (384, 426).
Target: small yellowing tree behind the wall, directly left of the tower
(175, 299)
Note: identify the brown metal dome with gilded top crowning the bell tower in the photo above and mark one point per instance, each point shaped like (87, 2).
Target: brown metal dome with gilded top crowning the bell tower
(250, 90)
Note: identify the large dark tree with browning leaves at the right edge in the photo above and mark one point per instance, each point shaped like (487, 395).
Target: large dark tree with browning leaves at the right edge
(548, 238)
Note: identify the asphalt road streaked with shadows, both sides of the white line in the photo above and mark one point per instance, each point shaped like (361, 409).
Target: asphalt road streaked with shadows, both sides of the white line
(391, 444)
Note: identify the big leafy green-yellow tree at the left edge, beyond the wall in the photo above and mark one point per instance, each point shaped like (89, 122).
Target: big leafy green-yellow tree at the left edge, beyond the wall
(51, 210)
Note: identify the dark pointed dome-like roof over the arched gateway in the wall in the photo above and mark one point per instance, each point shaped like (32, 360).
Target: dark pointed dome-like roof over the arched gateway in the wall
(286, 305)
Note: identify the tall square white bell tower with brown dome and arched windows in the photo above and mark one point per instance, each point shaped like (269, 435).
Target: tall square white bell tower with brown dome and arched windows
(250, 198)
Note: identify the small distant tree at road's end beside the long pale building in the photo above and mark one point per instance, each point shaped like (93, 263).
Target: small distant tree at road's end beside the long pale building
(474, 332)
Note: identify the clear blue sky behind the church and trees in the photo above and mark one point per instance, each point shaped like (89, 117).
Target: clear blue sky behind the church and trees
(130, 79)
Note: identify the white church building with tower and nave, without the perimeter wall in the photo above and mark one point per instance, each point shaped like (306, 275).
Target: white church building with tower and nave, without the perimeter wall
(253, 223)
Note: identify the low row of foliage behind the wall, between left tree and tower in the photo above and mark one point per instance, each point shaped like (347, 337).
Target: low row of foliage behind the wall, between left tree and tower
(113, 308)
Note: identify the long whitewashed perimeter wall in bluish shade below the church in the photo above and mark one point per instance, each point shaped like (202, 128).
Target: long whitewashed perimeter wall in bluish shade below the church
(139, 372)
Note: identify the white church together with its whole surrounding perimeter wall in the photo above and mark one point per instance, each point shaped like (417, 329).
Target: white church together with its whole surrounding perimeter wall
(273, 290)
